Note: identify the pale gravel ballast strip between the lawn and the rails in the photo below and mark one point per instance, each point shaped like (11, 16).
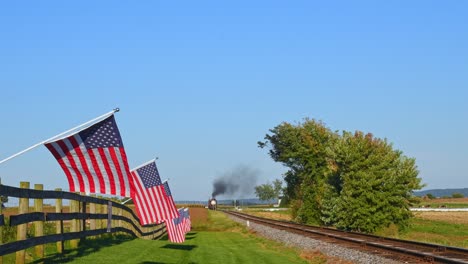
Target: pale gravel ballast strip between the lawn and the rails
(329, 249)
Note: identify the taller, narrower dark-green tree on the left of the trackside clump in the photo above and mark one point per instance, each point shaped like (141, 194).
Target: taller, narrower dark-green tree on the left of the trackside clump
(302, 148)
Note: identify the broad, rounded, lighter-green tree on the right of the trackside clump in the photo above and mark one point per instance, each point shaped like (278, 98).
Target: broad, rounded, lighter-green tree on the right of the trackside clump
(370, 185)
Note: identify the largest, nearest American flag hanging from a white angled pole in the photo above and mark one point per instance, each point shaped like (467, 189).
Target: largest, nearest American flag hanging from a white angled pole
(94, 159)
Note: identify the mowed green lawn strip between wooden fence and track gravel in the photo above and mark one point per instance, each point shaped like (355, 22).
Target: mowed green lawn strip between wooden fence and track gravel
(214, 239)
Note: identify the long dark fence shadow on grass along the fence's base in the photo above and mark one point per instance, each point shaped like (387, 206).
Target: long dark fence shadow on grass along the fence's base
(85, 248)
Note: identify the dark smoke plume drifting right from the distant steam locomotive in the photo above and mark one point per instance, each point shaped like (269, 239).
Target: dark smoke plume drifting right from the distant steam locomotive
(240, 181)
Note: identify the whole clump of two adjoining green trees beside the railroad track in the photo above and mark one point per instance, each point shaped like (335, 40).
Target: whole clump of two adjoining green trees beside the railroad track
(353, 181)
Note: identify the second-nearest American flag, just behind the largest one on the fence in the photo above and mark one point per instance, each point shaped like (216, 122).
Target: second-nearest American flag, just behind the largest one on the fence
(150, 197)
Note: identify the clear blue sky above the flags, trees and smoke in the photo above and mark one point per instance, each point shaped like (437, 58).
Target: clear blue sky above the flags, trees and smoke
(200, 82)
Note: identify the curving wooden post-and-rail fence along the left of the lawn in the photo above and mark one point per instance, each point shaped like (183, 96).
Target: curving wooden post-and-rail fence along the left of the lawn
(86, 216)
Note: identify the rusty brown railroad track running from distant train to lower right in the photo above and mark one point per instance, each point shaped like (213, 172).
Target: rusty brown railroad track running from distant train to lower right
(397, 249)
